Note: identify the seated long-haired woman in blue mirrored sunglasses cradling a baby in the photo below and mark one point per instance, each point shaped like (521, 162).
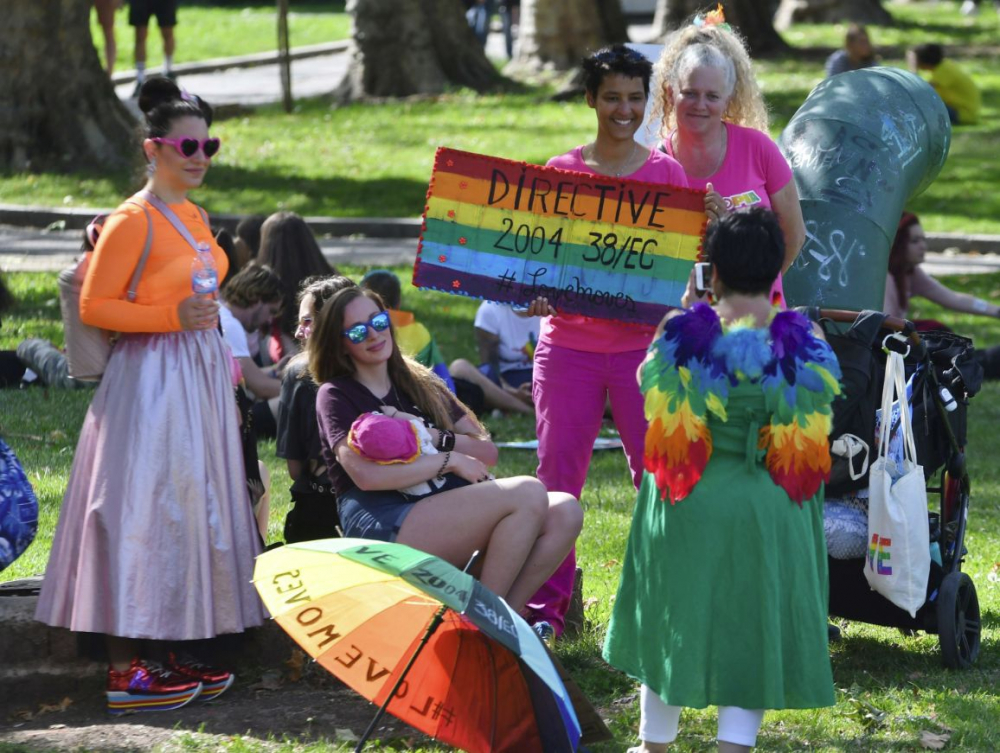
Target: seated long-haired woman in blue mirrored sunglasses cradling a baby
(522, 531)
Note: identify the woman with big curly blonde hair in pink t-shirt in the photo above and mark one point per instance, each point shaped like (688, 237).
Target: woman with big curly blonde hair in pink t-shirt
(715, 125)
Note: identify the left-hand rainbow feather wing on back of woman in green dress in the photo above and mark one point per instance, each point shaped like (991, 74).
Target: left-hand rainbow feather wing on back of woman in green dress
(682, 382)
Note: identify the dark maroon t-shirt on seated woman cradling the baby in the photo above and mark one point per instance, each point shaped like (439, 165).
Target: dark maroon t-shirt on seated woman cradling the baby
(340, 401)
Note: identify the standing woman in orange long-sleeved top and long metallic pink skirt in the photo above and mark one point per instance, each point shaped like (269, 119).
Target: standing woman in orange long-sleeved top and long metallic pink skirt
(156, 538)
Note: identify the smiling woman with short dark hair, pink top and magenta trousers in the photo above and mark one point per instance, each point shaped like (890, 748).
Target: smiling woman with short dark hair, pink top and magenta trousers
(582, 363)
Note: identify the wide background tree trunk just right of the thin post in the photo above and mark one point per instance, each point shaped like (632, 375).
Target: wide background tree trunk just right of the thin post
(401, 47)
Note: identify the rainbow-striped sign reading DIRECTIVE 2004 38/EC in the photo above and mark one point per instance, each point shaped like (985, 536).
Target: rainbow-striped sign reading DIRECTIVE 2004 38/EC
(594, 245)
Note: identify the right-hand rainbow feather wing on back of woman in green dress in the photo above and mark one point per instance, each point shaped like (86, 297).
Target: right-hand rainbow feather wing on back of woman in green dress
(800, 384)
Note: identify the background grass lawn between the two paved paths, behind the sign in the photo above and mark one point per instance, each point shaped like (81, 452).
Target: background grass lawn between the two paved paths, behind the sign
(375, 160)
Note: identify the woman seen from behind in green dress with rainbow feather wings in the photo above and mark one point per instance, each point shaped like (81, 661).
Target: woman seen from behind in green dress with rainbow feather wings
(723, 595)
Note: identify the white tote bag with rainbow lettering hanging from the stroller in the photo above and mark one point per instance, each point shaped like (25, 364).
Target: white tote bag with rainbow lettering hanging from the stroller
(899, 561)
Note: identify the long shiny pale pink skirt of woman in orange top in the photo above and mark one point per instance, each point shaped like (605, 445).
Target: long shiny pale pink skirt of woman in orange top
(156, 538)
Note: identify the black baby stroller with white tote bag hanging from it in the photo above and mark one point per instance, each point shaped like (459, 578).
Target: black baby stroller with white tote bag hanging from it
(945, 376)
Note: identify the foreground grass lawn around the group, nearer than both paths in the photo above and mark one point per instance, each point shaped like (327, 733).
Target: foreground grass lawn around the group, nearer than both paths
(891, 687)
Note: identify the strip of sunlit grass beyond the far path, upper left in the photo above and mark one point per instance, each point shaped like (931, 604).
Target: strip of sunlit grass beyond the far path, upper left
(212, 29)
